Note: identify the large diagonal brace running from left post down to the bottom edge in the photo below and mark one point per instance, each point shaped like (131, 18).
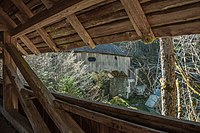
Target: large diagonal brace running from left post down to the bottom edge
(62, 119)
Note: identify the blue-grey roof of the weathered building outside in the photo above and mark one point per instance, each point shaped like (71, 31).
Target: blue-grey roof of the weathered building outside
(104, 49)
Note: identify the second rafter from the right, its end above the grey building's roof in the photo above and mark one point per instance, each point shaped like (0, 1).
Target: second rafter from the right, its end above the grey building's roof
(76, 24)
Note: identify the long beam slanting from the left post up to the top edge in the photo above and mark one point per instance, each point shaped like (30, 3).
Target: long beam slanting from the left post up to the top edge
(58, 11)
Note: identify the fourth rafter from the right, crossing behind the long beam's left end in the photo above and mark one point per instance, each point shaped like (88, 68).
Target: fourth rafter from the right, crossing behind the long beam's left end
(11, 24)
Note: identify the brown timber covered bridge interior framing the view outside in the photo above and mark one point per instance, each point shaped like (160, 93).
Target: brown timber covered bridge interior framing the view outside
(37, 26)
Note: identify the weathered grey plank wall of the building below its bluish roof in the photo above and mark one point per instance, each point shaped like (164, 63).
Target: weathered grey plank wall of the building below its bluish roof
(105, 62)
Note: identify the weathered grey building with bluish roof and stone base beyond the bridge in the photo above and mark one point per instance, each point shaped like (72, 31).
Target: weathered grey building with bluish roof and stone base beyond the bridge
(110, 58)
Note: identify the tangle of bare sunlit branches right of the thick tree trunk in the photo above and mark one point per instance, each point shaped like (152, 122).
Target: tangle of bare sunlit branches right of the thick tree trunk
(188, 63)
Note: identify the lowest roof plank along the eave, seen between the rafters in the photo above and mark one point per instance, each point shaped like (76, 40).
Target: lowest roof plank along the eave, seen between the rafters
(168, 30)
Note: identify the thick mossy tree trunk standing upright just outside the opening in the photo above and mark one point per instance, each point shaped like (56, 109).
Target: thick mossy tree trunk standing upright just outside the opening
(168, 82)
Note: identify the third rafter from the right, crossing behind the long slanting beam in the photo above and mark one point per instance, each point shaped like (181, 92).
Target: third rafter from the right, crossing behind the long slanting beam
(24, 9)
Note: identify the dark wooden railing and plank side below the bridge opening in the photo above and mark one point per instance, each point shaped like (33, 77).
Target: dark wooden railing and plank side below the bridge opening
(99, 117)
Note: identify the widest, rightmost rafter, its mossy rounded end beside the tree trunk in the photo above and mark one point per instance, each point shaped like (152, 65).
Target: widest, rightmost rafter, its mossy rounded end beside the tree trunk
(138, 20)
